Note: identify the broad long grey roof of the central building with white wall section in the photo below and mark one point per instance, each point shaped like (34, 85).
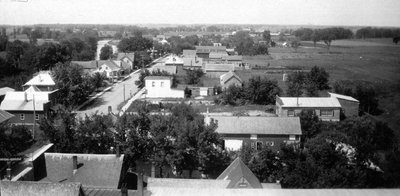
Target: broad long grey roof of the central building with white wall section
(258, 125)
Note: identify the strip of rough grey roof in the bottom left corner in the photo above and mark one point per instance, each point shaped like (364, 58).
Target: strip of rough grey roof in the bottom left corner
(23, 188)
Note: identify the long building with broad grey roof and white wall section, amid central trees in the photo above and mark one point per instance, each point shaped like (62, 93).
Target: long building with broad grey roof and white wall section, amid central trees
(257, 132)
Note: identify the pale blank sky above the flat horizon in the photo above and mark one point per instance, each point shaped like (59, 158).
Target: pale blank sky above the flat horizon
(280, 12)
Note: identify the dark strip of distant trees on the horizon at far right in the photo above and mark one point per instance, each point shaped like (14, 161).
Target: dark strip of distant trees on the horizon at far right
(369, 32)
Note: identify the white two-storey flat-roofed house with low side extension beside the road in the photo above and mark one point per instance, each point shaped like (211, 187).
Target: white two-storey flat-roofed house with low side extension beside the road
(161, 87)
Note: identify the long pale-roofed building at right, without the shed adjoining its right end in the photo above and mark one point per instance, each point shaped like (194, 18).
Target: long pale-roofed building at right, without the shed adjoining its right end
(326, 108)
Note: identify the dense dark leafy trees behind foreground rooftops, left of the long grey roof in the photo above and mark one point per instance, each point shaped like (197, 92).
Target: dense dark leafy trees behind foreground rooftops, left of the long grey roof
(181, 141)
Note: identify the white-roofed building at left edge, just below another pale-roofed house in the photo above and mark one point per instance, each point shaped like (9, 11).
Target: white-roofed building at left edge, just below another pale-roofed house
(29, 106)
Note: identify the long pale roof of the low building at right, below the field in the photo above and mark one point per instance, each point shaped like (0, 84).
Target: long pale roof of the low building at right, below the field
(312, 102)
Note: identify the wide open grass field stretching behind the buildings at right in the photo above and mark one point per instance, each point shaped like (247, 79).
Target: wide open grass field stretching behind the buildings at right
(375, 60)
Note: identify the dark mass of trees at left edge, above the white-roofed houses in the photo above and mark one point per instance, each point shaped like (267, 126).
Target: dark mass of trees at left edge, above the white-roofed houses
(20, 60)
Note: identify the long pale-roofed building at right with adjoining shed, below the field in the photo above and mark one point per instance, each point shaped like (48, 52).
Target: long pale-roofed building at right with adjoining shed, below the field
(326, 108)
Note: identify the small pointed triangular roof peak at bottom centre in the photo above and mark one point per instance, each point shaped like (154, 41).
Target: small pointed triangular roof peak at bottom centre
(237, 171)
